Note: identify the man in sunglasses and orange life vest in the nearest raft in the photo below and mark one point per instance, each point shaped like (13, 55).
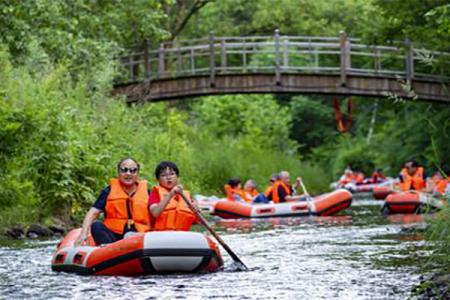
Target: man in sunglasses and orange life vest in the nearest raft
(124, 203)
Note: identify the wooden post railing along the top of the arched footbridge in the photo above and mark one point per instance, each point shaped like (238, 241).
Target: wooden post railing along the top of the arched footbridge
(280, 54)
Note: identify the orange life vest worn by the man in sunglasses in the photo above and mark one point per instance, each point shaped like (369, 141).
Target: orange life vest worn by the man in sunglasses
(119, 204)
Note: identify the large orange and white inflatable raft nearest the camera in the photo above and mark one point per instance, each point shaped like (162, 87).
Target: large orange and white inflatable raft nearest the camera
(141, 254)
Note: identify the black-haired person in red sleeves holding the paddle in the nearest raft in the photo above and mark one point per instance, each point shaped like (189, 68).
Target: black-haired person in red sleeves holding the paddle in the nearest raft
(168, 210)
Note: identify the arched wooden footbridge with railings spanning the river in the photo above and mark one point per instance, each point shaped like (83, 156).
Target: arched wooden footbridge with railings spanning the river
(284, 64)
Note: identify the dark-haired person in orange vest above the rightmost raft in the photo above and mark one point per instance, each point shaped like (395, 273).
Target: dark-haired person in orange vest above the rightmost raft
(412, 177)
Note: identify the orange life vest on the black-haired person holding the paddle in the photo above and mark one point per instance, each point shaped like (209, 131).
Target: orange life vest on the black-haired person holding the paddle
(176, 216)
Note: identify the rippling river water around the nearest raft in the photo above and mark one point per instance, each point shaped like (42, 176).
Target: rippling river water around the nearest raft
(357, 255)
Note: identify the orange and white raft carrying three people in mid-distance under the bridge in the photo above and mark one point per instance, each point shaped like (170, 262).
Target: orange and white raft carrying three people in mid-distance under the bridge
(322, 205)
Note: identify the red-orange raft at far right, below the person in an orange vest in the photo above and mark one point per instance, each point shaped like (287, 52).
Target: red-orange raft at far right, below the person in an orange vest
(410, 203)
